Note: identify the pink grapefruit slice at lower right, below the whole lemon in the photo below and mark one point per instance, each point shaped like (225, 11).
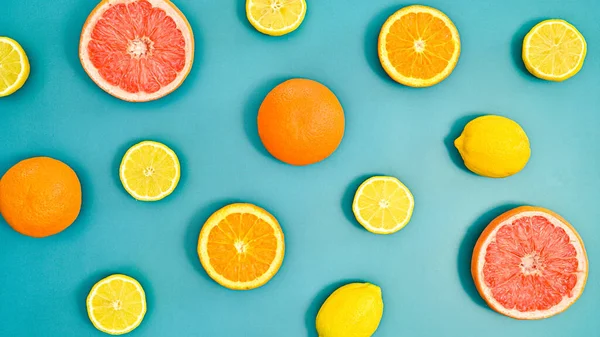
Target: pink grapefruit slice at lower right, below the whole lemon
(529, 263)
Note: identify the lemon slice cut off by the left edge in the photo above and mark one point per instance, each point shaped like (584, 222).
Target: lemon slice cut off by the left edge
(14, 66)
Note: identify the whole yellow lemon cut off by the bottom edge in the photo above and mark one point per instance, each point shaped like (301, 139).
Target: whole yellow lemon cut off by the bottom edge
(353, 310)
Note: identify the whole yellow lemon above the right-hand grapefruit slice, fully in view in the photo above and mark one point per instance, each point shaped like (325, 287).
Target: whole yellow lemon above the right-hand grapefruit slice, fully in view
(494, 146)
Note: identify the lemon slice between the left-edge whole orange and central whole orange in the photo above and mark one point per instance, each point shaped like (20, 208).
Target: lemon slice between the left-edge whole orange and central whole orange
(150, 171)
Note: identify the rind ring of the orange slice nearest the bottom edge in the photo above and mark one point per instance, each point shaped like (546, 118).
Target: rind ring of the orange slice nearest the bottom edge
(214, 221)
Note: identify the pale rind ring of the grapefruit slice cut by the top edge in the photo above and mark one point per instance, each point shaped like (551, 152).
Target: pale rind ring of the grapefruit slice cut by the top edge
(182, 24)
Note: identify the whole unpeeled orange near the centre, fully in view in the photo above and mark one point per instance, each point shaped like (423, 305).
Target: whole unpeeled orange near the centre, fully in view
(301, 122)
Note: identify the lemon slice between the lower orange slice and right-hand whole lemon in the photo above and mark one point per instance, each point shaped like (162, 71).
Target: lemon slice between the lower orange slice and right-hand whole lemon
(383, 205)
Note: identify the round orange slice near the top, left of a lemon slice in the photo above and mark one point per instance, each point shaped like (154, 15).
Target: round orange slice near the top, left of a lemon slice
(419, 46)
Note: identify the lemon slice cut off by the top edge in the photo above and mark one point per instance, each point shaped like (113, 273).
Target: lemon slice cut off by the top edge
(275, 17)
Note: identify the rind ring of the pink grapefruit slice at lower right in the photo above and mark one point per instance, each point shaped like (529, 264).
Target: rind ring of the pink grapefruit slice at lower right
(488, 235)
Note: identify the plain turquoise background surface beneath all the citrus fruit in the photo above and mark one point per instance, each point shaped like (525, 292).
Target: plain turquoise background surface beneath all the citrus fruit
(210, 122)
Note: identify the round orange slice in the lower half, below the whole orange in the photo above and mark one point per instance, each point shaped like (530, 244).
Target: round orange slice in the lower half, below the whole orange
(241, 246)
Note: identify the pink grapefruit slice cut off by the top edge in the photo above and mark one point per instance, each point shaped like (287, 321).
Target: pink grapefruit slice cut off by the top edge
(137, 50)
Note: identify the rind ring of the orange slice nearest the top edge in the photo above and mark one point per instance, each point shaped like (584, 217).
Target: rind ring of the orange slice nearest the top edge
(411, 81)
